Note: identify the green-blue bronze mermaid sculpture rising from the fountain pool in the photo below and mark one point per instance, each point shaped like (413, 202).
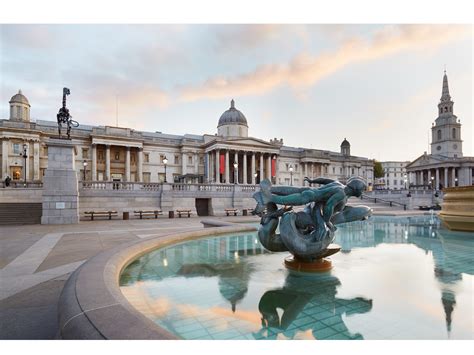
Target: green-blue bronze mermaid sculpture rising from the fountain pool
(307, 234)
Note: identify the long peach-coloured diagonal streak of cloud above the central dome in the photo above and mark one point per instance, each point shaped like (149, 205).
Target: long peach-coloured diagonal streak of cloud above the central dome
(305, 69)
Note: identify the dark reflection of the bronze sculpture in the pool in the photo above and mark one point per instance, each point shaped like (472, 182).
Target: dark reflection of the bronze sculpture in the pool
(308, 303)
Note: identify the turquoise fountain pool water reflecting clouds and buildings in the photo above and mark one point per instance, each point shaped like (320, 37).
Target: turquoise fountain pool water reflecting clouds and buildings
(395, 278)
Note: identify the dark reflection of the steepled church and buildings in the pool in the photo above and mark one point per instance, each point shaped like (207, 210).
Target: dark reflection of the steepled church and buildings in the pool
(452, 252)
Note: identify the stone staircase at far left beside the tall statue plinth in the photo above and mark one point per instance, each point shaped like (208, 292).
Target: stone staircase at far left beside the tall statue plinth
(20, 213)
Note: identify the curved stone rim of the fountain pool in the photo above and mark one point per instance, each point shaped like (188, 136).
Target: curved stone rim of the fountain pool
(91, 305)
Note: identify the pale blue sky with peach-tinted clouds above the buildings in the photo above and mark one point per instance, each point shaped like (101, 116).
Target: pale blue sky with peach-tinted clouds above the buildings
(312, 85)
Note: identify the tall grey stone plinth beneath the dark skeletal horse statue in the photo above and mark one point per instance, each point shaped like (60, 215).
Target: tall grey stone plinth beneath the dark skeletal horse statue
(60, 190)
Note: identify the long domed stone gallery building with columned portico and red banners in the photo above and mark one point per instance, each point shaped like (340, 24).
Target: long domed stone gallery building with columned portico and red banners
(105, 153)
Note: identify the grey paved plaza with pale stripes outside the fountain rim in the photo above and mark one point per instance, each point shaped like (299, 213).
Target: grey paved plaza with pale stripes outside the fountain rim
(36, 261)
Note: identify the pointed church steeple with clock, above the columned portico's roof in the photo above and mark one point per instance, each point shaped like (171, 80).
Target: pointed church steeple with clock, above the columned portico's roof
(446, 130)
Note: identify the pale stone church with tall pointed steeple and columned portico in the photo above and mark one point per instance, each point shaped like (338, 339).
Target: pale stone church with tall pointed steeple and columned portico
(445, 166)
